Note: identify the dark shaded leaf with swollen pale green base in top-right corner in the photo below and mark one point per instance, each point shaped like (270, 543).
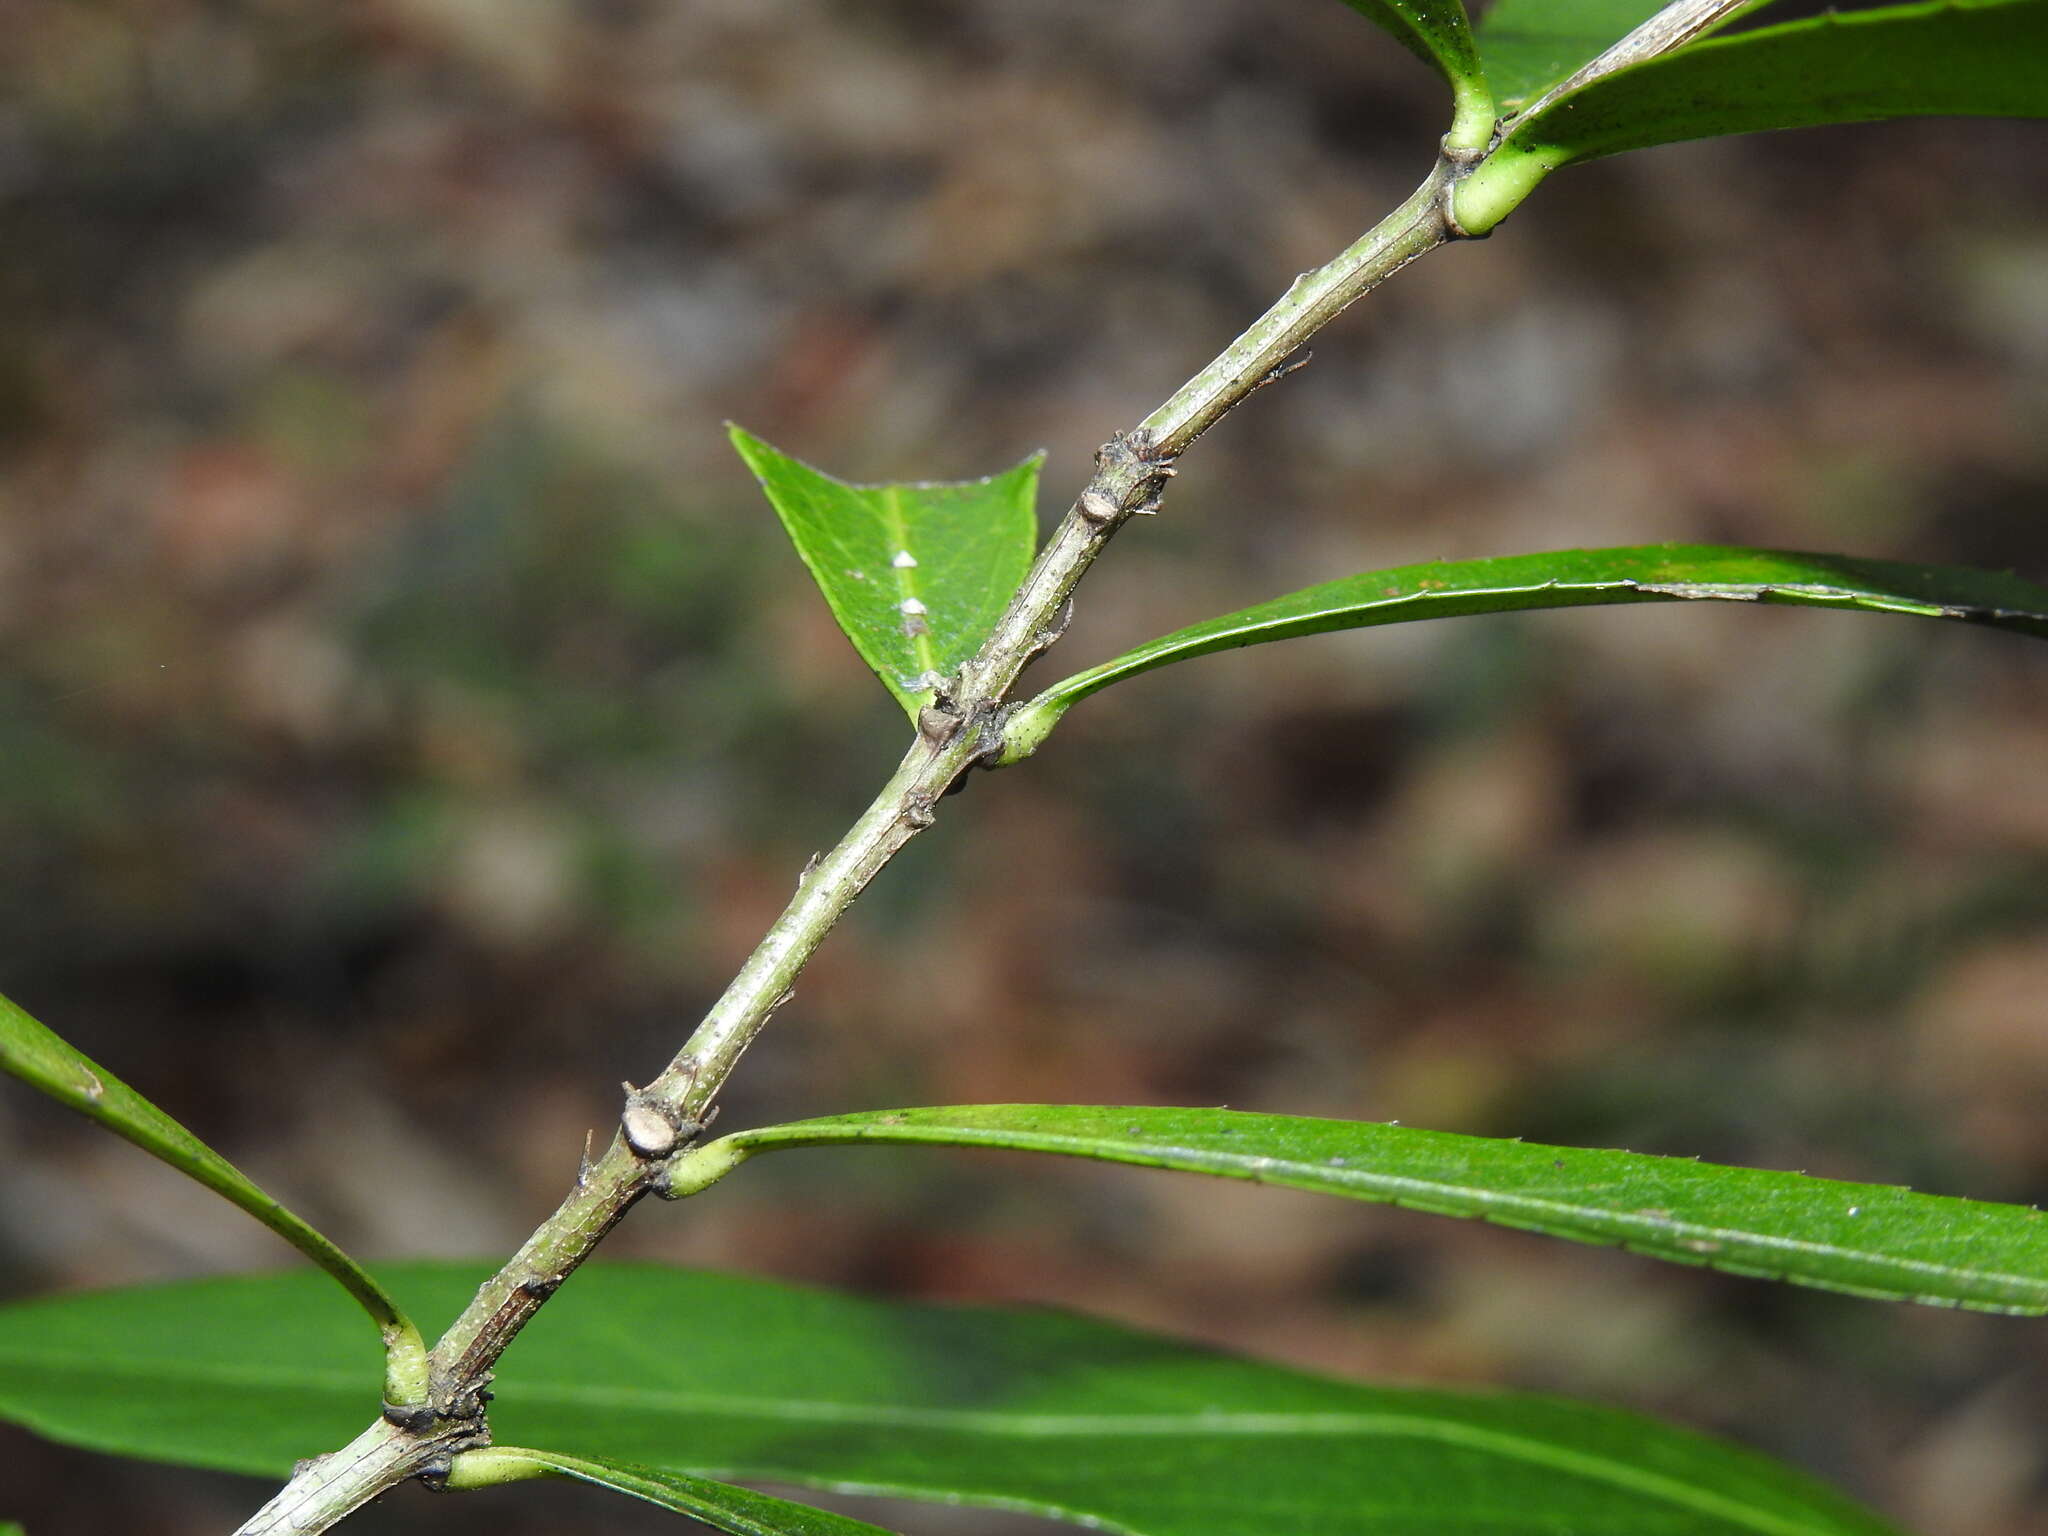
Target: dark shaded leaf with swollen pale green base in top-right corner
(1949, 58)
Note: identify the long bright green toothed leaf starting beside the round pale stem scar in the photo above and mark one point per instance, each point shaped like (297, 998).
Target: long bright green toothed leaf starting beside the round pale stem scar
(1869, 1240)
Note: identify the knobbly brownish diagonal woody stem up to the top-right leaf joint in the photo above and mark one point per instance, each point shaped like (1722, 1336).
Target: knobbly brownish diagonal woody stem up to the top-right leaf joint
(962, 730)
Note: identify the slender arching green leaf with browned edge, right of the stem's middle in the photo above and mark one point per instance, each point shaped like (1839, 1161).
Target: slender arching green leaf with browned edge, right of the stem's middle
(1570, 579)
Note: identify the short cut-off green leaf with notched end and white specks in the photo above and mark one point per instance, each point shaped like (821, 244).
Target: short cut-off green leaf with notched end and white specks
(914, 574)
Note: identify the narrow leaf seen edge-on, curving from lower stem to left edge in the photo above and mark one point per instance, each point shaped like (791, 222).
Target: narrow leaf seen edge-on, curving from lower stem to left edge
(44, 1060)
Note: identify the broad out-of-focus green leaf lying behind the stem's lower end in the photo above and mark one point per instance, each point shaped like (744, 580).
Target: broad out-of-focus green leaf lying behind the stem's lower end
(744, 1379)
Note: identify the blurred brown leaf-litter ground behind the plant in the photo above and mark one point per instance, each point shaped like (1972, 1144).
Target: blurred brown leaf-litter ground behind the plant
(411, 714)
